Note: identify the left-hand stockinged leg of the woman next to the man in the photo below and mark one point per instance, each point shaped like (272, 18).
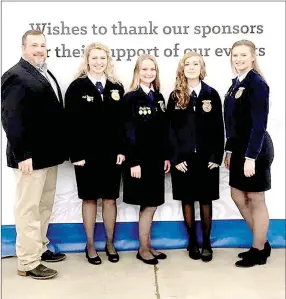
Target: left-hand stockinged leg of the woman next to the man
(89, 208)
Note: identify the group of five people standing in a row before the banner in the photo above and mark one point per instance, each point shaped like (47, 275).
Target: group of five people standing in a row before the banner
(106, 132)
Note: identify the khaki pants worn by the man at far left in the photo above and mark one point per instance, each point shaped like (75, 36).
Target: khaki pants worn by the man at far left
(35, 196)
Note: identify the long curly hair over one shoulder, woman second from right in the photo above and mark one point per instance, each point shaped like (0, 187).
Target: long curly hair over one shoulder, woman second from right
(181, 91)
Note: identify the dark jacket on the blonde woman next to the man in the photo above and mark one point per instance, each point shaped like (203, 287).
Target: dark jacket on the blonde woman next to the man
(95, 125)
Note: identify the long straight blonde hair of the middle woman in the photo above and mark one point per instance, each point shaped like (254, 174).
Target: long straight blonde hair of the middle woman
(136, 80)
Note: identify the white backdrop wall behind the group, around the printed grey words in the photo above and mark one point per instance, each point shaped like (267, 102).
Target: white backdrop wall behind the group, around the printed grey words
(270, 35)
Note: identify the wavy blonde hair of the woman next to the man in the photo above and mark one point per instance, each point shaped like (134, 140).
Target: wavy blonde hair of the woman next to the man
(84, 68)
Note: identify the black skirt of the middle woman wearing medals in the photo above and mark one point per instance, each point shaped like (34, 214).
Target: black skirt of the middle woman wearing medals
(147, 191)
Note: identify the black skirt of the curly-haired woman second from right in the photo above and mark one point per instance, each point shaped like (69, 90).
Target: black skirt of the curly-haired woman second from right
(199, 183)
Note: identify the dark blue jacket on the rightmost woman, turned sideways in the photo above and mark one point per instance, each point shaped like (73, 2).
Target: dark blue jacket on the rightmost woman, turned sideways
(246, 108)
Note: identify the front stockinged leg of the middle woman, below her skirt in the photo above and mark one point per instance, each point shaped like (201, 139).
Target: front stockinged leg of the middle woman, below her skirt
(145, 221)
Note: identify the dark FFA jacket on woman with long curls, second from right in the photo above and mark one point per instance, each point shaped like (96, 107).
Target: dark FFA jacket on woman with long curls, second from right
(198, 130)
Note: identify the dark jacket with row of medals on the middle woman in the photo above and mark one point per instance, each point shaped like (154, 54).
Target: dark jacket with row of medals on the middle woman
(146, 128)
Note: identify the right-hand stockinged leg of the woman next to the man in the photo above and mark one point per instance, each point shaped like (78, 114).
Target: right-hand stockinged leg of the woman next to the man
(109, 213)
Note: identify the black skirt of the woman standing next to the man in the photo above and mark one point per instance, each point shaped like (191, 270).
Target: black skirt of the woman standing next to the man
(98, 180)
